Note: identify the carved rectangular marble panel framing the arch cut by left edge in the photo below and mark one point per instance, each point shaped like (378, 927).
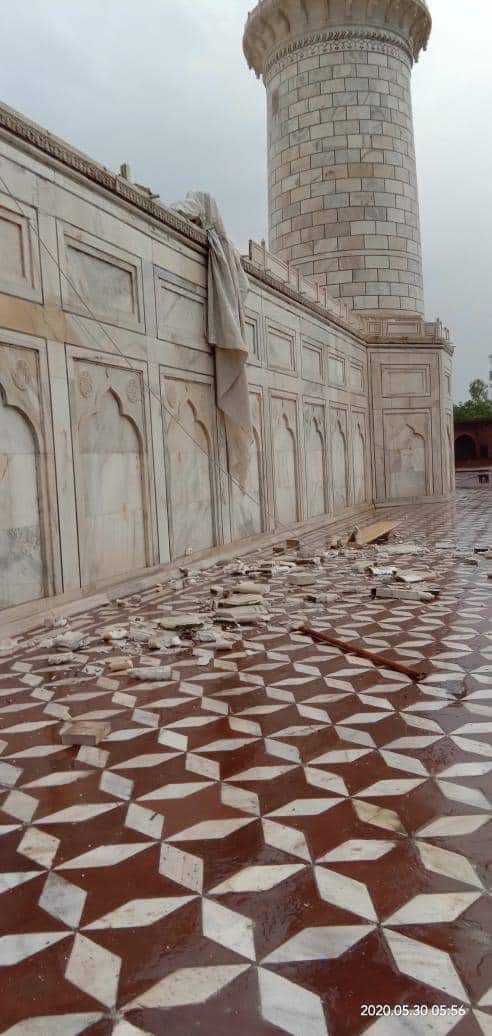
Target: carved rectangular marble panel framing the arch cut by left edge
(23, 574)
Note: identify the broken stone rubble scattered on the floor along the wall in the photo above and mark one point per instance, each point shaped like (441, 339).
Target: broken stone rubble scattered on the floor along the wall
(246, 597)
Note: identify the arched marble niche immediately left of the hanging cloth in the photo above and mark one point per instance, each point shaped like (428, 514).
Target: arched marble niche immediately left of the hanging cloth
(191, 477)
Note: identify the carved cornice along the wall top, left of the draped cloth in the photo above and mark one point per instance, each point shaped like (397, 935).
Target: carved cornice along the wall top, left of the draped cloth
(59, 151)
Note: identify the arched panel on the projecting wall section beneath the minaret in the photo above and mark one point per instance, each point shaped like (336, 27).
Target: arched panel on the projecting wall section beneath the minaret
(406, 437)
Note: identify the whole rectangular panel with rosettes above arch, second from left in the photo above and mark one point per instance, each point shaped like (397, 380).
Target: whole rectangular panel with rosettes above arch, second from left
(110, 472)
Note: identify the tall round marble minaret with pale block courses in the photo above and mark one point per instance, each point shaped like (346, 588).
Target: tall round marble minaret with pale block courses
(342, 179)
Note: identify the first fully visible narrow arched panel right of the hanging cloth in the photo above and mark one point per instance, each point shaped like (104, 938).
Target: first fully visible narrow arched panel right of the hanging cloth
(285, 462)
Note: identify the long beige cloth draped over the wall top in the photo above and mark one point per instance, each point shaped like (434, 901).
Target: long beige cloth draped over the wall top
(228, 287)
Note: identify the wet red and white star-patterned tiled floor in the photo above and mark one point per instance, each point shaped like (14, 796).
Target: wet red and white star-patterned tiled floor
(268, 847)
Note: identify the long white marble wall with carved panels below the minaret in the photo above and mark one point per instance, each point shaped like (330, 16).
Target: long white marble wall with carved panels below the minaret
(113, 457)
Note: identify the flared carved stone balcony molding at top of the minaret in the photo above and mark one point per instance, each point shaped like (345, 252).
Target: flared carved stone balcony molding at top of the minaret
(277, 28)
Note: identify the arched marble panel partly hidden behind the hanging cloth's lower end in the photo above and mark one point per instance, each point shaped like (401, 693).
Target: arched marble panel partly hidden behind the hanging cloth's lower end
(248, 507)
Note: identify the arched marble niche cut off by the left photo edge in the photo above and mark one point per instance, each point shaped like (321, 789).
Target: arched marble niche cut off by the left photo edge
(22, 564)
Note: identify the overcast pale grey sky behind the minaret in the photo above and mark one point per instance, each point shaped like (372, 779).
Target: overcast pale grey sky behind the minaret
(164, 85)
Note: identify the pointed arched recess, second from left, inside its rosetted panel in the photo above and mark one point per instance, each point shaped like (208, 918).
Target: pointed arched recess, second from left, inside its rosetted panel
(111, 509)
